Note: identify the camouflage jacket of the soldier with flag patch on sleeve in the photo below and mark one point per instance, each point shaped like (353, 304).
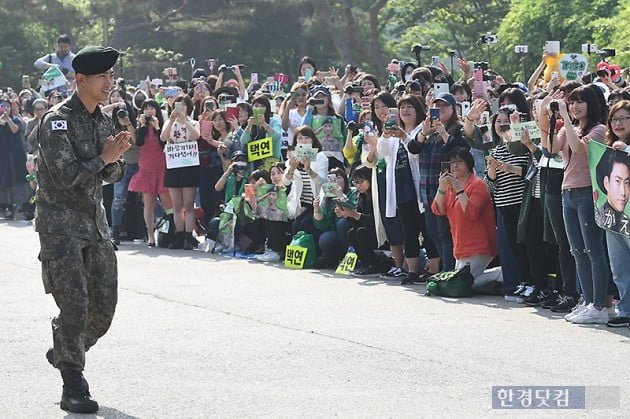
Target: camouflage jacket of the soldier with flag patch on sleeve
(70, 171)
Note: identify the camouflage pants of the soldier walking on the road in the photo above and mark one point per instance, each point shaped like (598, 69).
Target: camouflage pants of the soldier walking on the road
(82, 276)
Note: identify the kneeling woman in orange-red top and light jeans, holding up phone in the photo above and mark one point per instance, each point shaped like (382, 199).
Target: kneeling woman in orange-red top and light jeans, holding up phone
(464, 199)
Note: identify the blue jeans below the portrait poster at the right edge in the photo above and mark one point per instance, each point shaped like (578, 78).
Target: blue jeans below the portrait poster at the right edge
(619, 252)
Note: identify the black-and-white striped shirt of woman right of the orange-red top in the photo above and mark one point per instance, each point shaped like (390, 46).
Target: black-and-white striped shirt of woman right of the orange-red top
(508, 188)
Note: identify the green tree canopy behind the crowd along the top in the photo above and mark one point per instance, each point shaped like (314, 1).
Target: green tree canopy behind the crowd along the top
(272, 35)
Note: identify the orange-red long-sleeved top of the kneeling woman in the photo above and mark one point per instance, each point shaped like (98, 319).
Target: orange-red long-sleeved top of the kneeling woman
(474, 231)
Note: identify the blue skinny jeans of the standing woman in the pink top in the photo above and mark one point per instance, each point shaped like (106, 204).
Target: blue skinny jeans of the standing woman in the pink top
(586, 239)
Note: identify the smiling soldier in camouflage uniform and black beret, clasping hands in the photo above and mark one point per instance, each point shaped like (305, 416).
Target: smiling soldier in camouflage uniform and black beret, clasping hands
(77, 151)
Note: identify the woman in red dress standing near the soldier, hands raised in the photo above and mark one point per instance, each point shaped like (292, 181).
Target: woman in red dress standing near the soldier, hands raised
(152, 165)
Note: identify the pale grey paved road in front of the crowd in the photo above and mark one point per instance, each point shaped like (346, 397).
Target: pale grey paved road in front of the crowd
(197, 335)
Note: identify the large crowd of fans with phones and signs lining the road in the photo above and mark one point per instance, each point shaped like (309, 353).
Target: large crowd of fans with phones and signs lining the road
(415, 171)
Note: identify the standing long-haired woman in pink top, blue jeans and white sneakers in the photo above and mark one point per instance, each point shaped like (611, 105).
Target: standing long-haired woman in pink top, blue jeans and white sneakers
(583, 114)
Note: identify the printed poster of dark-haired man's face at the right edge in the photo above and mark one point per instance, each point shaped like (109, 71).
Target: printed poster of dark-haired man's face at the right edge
(610, 175)
